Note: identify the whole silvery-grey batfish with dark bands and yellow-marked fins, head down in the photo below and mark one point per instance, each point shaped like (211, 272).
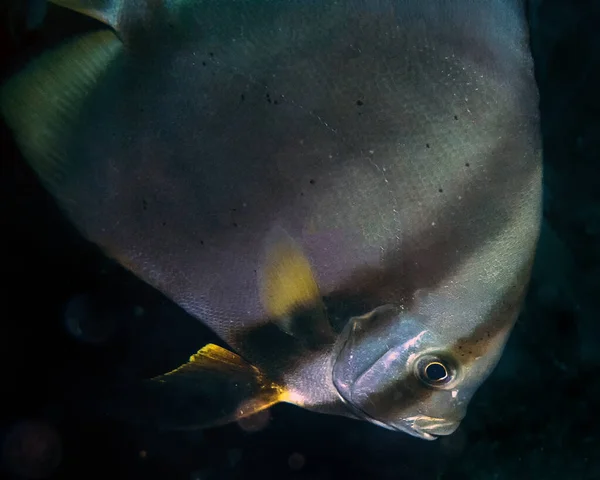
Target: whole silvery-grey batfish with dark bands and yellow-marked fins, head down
(347, 192)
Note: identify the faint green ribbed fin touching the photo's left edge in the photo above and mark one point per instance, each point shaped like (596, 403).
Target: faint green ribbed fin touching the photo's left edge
(41, 104)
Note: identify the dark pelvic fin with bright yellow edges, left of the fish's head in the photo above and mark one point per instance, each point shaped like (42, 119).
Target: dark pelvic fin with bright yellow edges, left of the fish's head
(214, 388)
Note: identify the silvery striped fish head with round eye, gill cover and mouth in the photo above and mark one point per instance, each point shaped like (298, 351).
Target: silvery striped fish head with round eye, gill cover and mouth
(401, 371)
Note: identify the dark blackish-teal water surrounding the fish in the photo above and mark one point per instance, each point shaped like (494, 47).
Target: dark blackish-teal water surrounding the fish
(537, 417)
